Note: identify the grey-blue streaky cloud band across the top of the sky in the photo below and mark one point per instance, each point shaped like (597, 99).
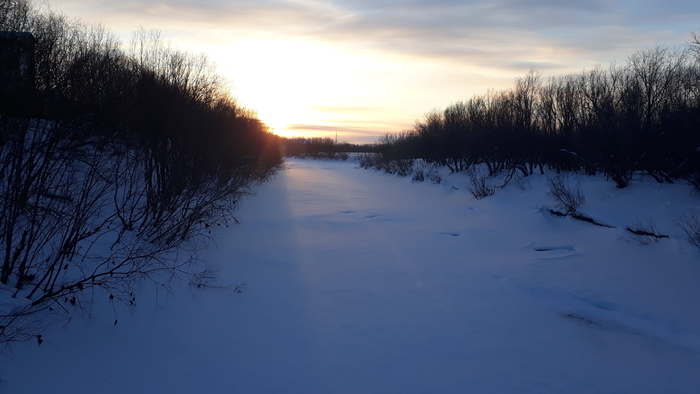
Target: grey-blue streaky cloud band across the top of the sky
(495, 33)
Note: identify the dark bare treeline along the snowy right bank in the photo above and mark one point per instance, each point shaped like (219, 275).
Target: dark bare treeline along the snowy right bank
(641, 116)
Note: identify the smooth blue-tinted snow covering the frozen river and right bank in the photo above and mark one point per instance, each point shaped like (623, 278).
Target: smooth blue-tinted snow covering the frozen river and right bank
(362, 282)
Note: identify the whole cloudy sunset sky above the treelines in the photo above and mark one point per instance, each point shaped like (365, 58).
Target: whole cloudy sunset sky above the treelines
(363, 68)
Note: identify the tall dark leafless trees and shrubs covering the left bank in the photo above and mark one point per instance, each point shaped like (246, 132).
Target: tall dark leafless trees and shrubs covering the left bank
(113, 168)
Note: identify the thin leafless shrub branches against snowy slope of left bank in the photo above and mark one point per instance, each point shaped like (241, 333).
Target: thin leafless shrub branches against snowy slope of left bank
(88, 214)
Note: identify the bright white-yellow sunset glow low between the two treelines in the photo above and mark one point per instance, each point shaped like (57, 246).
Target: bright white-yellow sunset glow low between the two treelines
(303, 87)
